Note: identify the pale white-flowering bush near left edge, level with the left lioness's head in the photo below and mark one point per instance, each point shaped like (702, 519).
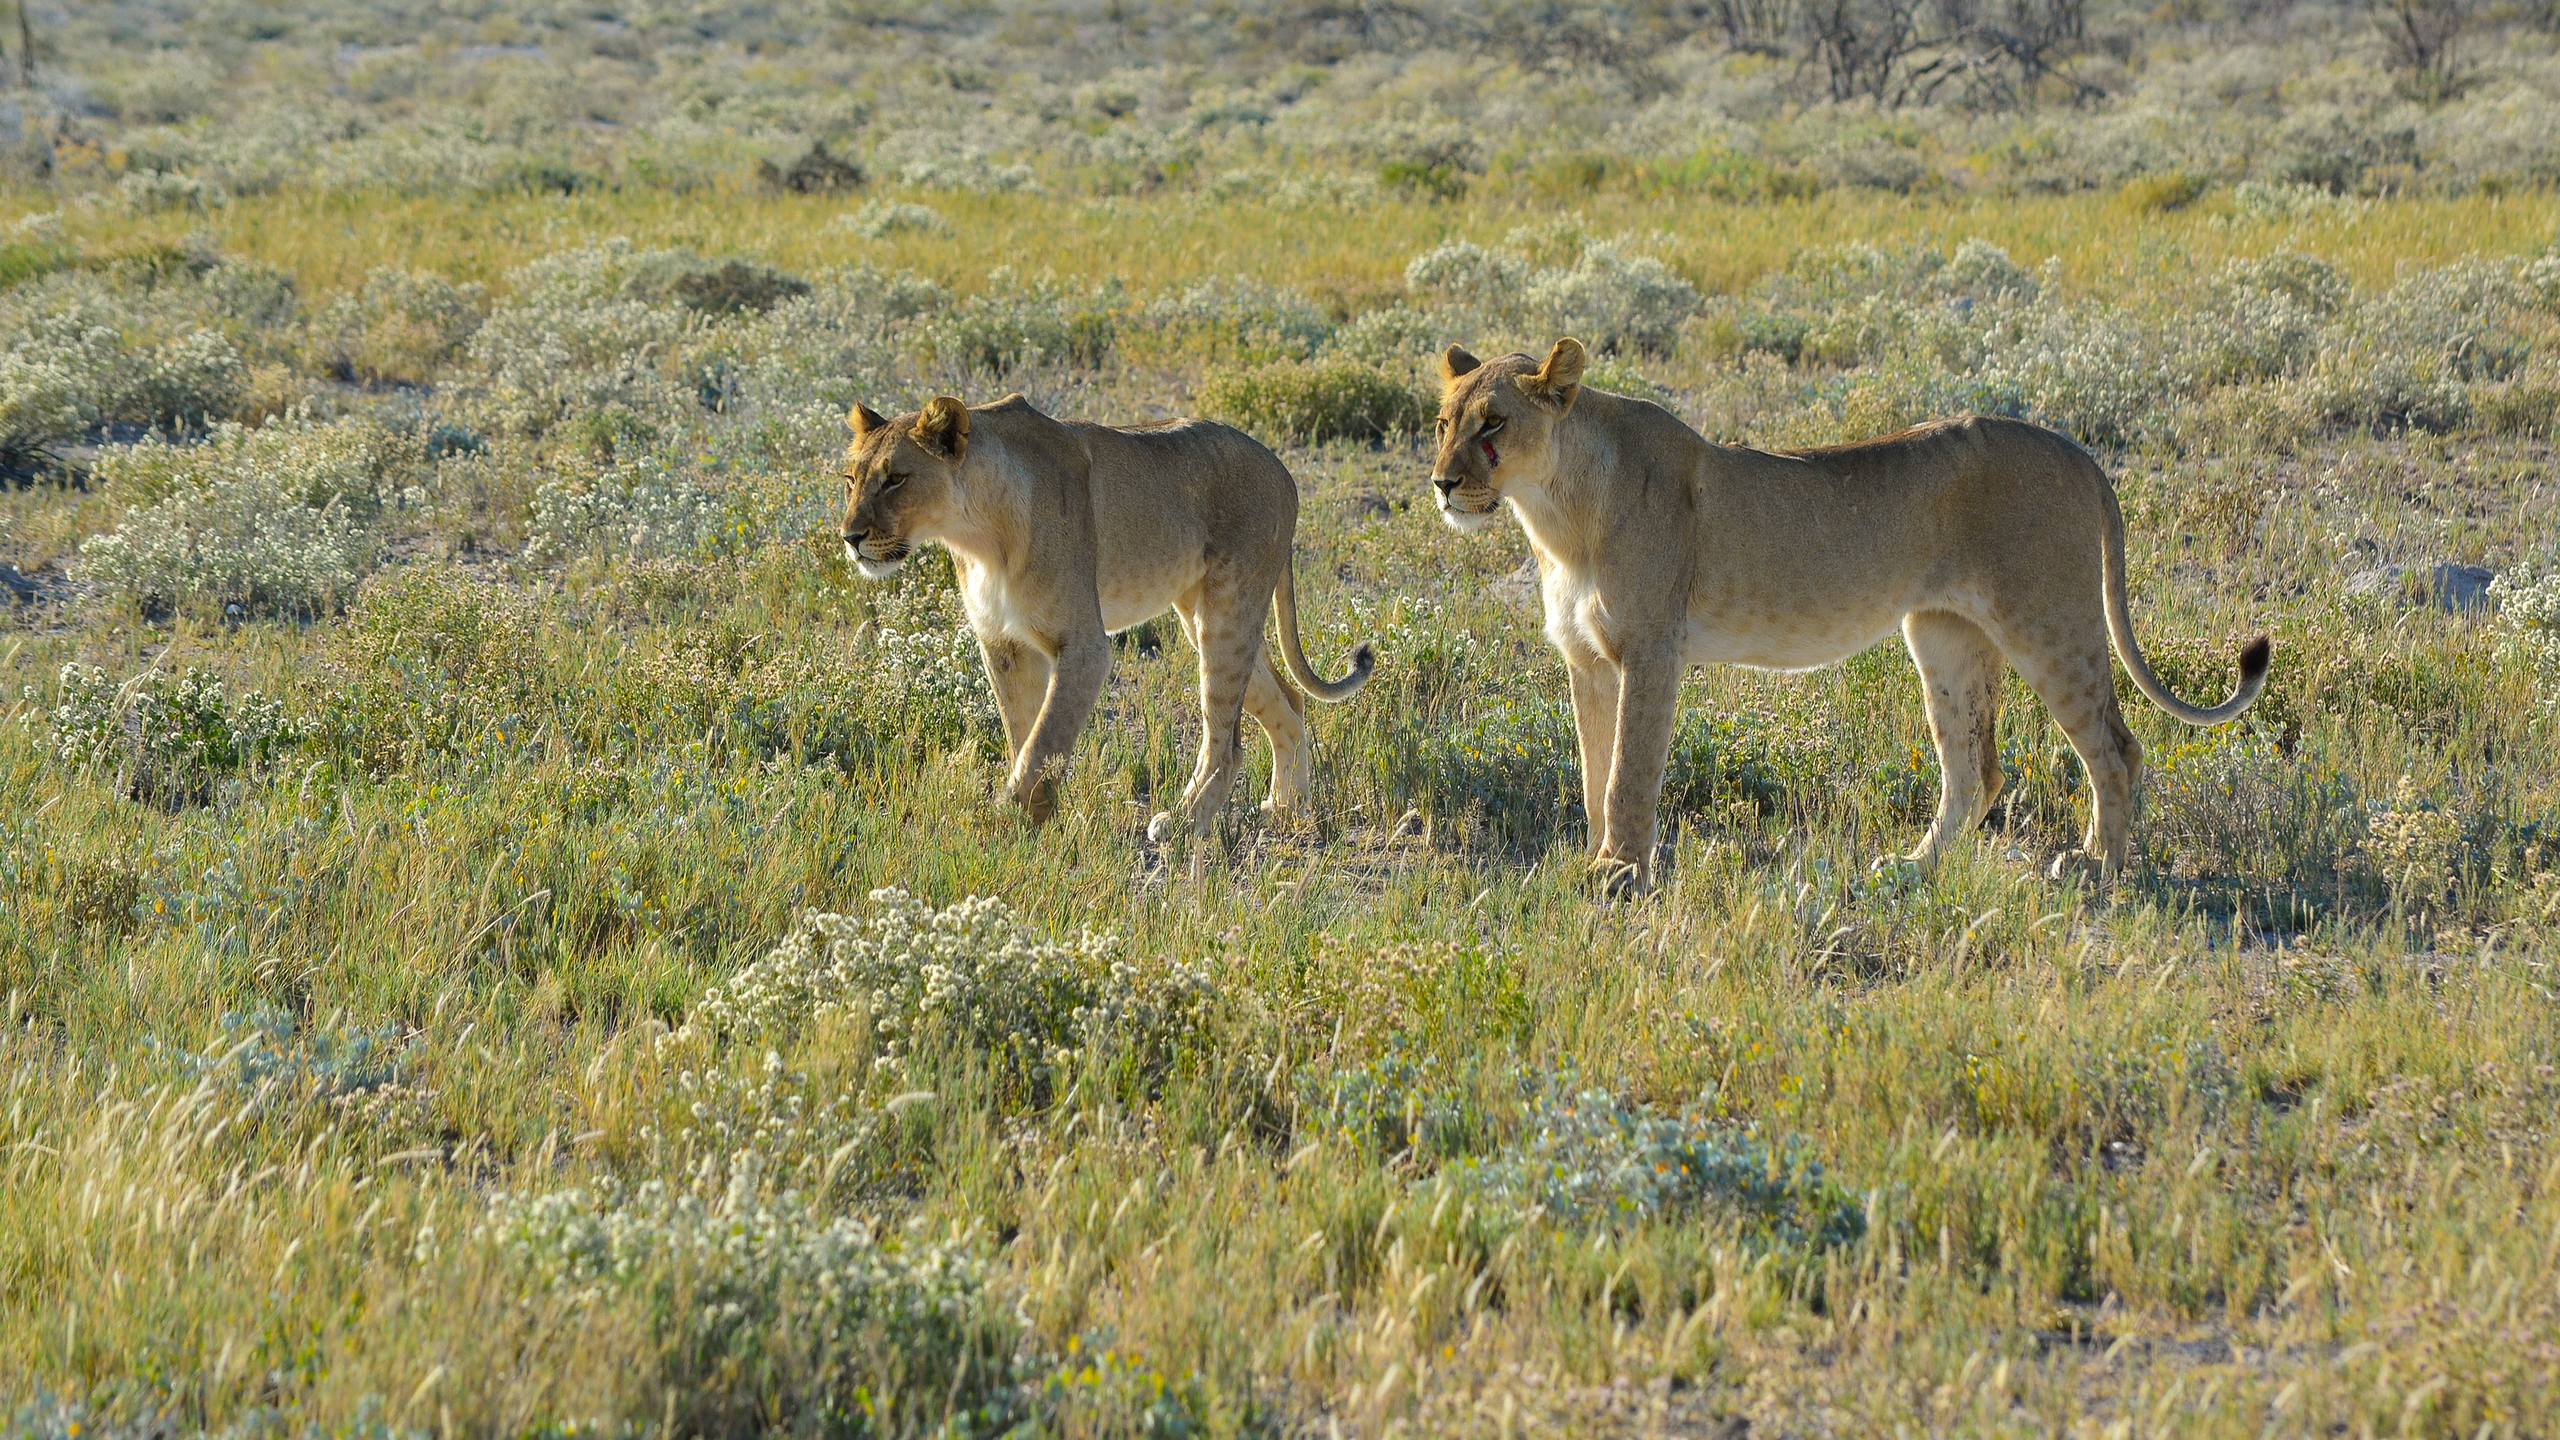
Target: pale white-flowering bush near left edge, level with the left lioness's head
(265, 521)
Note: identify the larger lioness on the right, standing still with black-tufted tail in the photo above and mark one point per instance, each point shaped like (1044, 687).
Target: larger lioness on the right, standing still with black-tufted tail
(1983, 539)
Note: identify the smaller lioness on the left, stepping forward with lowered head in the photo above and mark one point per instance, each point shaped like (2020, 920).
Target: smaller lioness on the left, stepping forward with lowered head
(1066, 532)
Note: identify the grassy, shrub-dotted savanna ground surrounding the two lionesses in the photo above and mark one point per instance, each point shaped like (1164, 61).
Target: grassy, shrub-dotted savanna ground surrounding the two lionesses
(500, 934)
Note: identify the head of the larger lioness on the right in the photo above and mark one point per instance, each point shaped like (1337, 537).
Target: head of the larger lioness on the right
(1499, 424)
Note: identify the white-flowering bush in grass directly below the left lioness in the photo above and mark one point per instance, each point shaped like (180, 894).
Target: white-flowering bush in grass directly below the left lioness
(969, 980)
